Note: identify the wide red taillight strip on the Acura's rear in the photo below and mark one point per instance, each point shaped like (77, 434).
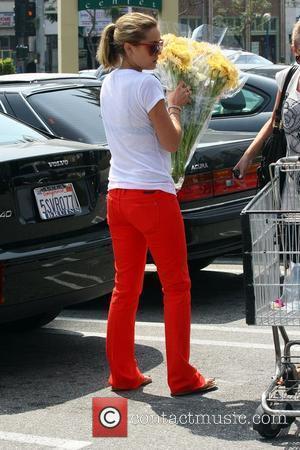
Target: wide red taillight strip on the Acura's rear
(218, 182)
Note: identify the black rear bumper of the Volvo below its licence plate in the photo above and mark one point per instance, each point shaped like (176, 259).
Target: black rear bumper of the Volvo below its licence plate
(37, 280)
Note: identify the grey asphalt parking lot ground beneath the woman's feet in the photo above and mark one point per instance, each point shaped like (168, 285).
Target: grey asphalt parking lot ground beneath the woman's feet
(49, 377)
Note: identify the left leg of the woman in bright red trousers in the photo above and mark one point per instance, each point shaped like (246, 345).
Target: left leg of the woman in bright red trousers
(130, 250)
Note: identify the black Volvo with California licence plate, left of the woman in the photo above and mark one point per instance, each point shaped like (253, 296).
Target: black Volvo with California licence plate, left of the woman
(55, 249)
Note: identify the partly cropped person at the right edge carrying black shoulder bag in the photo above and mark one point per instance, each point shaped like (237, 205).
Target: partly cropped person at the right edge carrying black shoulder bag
(290, 112)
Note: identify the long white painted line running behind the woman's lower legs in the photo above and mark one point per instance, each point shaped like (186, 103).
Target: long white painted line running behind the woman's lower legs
(195, 326)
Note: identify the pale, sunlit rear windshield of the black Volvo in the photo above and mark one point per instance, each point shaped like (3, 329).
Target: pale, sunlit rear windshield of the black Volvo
(14, 132)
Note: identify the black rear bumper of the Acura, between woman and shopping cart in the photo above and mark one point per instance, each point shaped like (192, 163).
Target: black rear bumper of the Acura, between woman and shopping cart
(215, 230)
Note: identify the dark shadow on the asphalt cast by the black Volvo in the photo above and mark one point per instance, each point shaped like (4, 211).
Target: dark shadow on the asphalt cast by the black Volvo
(42, 369)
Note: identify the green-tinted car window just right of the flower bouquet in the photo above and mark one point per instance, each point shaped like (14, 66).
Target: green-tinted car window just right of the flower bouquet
(244, 102)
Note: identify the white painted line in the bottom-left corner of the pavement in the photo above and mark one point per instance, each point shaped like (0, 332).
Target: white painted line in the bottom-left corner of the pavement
(42, 440)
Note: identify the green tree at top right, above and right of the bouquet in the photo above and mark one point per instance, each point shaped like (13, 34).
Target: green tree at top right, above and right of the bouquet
(247, 11)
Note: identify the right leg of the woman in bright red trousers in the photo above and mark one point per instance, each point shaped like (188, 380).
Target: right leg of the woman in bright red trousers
(167, 245)
